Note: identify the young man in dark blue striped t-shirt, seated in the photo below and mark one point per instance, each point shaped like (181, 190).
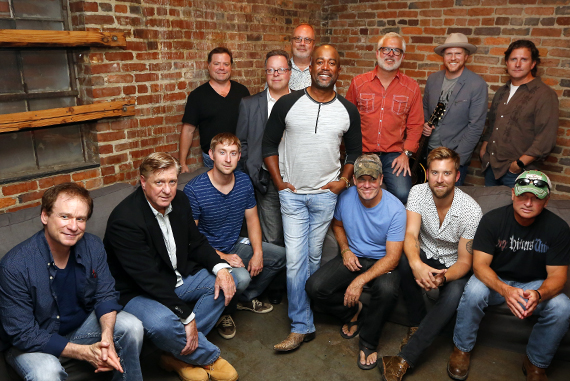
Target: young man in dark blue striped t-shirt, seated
(220, 198)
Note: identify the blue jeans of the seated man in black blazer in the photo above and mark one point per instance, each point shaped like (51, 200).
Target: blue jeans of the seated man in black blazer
(166, 330)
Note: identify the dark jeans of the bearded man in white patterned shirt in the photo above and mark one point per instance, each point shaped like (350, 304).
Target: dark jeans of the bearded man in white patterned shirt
(432, 323)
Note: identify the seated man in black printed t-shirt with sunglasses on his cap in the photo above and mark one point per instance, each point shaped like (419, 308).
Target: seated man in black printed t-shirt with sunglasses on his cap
(520, 256)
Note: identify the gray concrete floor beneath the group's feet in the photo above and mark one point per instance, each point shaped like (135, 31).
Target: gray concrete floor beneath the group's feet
(332, 358)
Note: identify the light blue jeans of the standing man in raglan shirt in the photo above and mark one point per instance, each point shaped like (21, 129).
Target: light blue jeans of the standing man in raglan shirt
(306, 218)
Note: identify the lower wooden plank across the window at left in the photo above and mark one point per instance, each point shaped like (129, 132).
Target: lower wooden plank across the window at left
(55, 116)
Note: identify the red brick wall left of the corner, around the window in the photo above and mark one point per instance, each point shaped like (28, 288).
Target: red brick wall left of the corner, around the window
(165, 58)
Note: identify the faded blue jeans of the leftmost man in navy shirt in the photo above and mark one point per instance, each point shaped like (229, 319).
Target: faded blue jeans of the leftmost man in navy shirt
(127, 337)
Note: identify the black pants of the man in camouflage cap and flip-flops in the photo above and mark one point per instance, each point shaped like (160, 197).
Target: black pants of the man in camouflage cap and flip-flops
(327, 286)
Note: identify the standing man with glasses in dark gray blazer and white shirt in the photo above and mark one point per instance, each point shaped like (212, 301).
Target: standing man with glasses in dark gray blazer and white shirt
(253, 114)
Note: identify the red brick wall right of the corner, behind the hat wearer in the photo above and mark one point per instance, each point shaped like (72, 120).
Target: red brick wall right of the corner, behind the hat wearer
(354, 27)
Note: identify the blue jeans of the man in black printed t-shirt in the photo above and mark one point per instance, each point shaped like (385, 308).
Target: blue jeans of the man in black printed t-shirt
(553, 319)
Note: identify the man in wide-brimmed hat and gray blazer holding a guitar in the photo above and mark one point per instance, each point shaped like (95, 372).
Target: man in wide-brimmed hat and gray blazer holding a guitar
(465, 96)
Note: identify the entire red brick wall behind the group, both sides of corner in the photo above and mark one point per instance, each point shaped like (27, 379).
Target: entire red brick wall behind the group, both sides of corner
(168, 41)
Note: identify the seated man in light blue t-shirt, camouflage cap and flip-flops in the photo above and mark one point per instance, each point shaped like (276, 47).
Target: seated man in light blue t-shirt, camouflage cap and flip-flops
(369, 225)
